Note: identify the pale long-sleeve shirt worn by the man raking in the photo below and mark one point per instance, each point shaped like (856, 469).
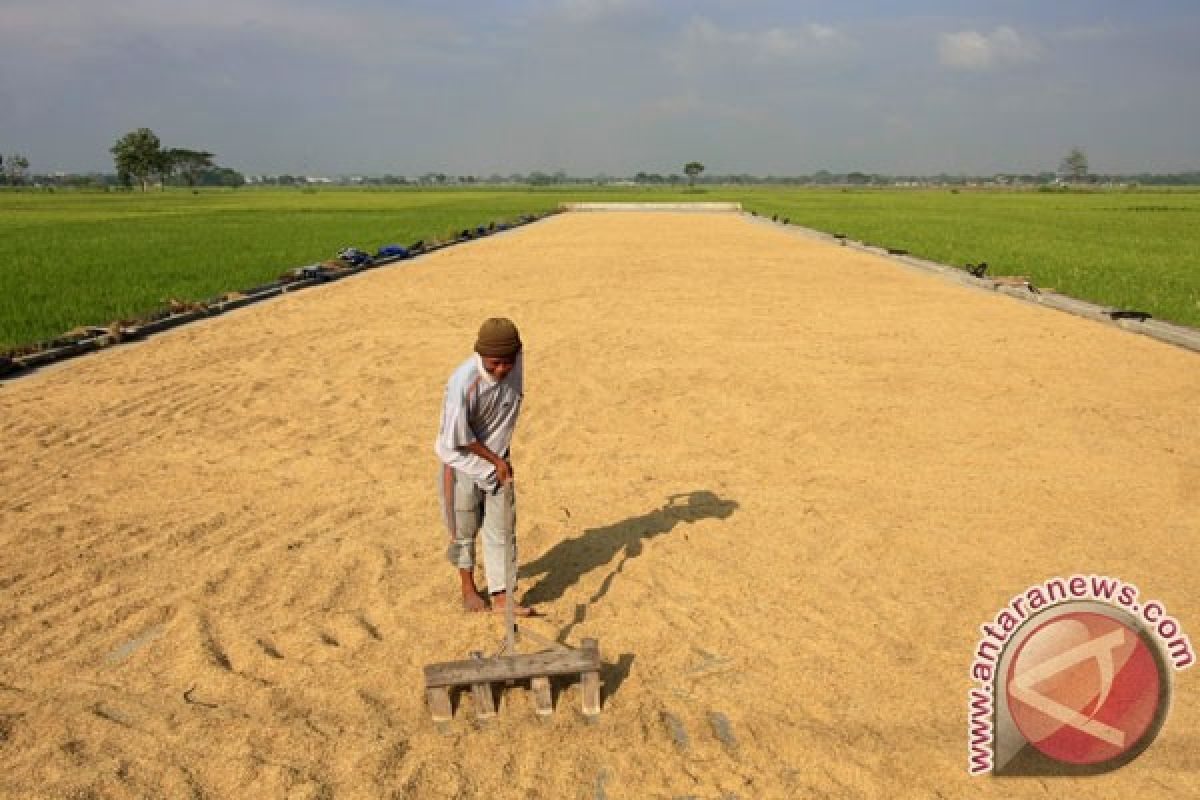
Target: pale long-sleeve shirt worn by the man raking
(479, 408)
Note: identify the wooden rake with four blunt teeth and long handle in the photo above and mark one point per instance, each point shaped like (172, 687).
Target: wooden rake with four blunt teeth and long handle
(508, 666)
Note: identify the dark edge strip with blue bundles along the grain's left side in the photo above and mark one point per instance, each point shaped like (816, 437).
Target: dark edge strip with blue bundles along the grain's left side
(105, 338)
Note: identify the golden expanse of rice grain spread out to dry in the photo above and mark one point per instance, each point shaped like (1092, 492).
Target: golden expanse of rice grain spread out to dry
(782, 483)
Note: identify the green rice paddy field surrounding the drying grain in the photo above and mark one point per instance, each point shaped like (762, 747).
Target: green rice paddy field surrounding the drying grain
(70, 260)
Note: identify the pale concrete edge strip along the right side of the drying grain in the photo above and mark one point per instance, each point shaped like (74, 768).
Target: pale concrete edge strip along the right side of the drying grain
(1157, 329)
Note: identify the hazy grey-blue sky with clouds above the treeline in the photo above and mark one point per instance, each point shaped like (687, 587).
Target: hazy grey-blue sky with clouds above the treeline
(607, 86)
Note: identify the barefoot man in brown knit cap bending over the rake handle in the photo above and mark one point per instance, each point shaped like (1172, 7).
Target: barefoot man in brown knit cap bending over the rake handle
(479, 416)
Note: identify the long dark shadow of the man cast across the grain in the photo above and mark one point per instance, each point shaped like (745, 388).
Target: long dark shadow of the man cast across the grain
(563, 566)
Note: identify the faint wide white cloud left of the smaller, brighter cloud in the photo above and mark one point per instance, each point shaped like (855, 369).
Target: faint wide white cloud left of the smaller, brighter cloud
(703, 43)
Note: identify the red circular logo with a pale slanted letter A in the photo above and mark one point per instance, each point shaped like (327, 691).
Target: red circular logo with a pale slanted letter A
(1084, 688)
